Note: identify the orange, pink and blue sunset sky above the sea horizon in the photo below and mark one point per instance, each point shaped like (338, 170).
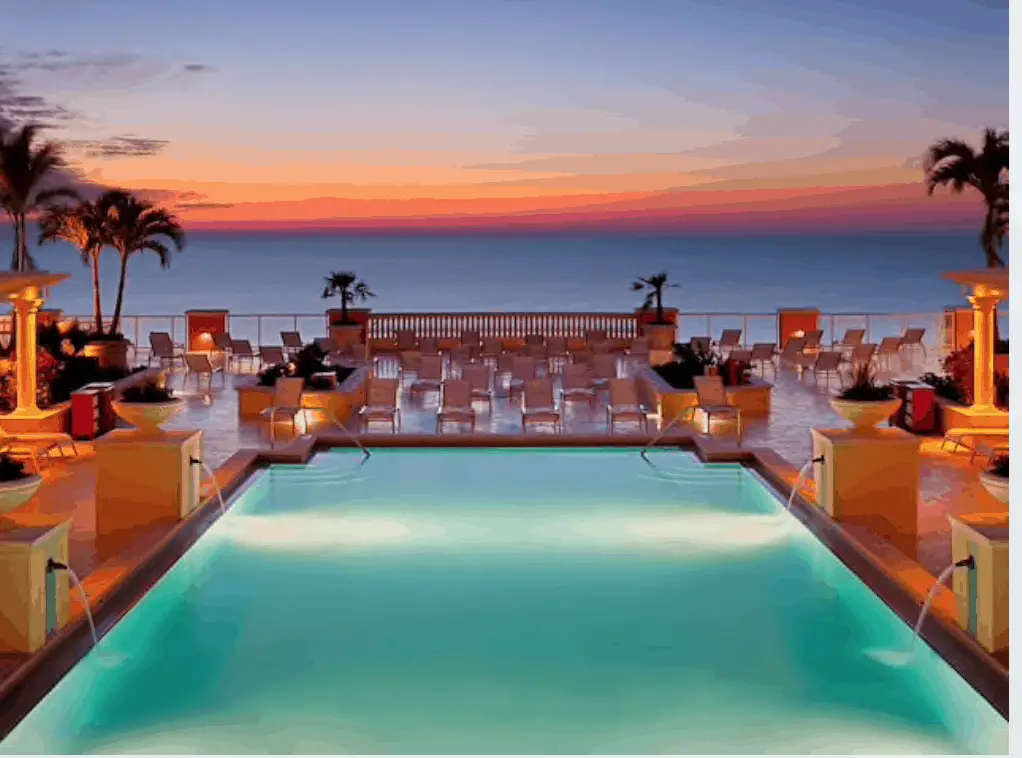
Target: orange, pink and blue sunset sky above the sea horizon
(385, 113)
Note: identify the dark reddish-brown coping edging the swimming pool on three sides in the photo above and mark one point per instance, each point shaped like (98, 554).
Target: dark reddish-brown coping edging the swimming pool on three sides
(885, 571)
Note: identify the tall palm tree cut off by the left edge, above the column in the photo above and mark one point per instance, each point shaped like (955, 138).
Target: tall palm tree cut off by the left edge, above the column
(24, 169)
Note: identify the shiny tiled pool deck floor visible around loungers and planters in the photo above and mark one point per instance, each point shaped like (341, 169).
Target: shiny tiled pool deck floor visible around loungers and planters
(949, 484)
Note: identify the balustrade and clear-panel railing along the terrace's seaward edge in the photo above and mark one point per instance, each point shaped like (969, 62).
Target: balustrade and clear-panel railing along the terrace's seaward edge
(264, 329)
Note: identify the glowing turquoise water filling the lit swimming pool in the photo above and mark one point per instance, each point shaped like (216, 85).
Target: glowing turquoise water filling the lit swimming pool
(508, 602)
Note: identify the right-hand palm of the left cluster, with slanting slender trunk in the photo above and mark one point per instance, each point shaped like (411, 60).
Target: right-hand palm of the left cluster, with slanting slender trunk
(134, 226)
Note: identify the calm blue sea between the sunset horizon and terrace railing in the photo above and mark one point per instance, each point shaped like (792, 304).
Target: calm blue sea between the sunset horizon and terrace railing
(284, 273)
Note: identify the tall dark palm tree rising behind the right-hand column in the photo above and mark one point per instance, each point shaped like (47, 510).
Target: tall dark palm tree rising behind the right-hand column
(955, 164)
